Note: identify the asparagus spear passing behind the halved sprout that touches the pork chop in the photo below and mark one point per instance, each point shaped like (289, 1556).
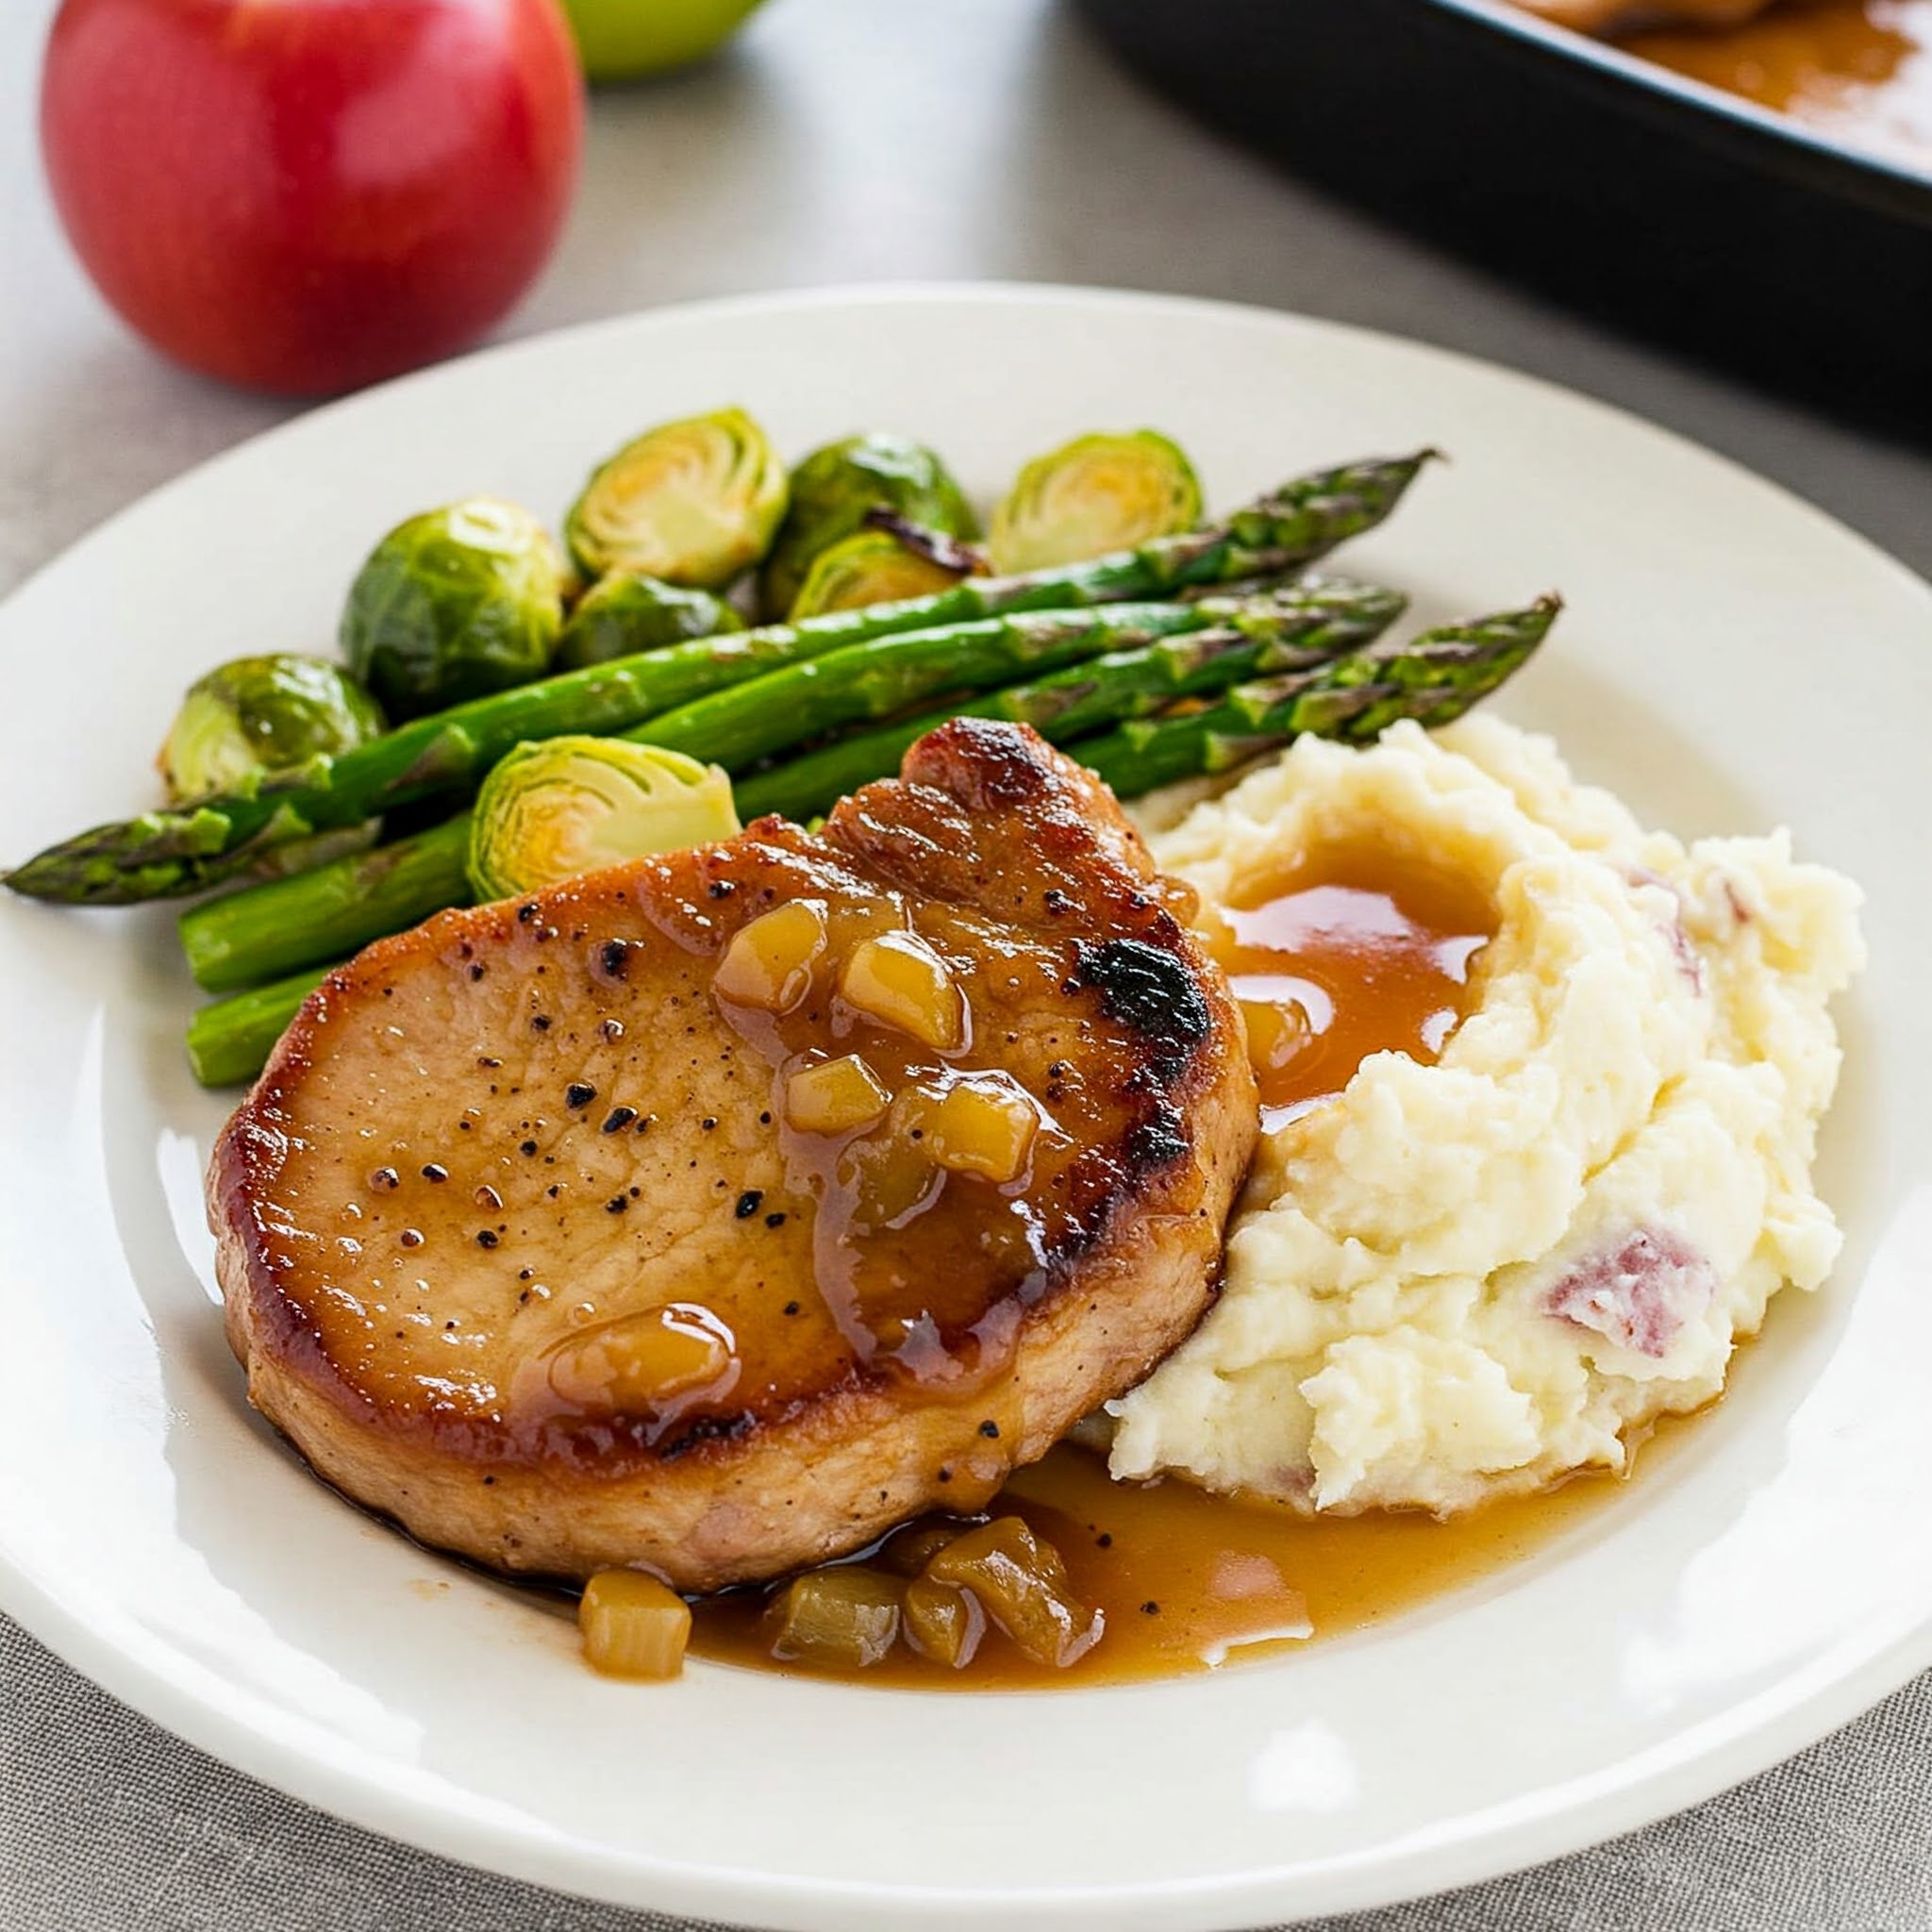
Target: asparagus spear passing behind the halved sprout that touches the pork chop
(283, 924)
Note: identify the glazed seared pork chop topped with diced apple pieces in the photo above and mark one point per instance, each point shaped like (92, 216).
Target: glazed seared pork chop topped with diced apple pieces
(718, 1212)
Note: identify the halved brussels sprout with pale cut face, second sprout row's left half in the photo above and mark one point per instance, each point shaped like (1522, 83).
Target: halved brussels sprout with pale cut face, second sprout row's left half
(693, 503)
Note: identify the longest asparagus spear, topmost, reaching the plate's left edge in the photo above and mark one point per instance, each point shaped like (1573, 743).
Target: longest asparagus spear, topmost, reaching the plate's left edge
(167, 853)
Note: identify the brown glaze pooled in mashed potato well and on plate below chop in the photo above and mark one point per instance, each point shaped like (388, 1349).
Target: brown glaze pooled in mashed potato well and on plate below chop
(1334, 961)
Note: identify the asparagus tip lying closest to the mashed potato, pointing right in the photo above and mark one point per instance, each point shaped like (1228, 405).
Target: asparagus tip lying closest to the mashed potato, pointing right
(1355, 698)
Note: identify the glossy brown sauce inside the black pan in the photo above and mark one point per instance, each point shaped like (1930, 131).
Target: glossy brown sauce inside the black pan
(1856, 69)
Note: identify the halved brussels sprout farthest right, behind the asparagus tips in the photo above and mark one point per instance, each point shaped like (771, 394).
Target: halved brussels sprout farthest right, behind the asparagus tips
(1096, 496)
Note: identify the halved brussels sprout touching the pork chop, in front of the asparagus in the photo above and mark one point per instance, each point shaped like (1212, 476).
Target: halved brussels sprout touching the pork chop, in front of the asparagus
(565, 807)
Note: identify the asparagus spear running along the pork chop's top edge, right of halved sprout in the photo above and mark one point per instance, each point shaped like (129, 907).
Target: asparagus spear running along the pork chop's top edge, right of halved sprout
(1334, 617)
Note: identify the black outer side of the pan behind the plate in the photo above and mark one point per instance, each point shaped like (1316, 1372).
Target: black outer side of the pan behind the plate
(1616, 186)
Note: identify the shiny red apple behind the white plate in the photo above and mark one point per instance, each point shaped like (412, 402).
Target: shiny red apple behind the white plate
(306, 196)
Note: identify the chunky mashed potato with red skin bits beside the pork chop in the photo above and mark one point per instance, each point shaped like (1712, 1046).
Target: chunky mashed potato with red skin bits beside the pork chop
(1471, 1278)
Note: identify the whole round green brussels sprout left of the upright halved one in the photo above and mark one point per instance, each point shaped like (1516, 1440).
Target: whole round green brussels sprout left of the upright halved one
(455, 604)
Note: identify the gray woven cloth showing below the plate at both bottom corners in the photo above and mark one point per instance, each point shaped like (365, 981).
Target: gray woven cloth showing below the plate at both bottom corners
(140, 1833)
